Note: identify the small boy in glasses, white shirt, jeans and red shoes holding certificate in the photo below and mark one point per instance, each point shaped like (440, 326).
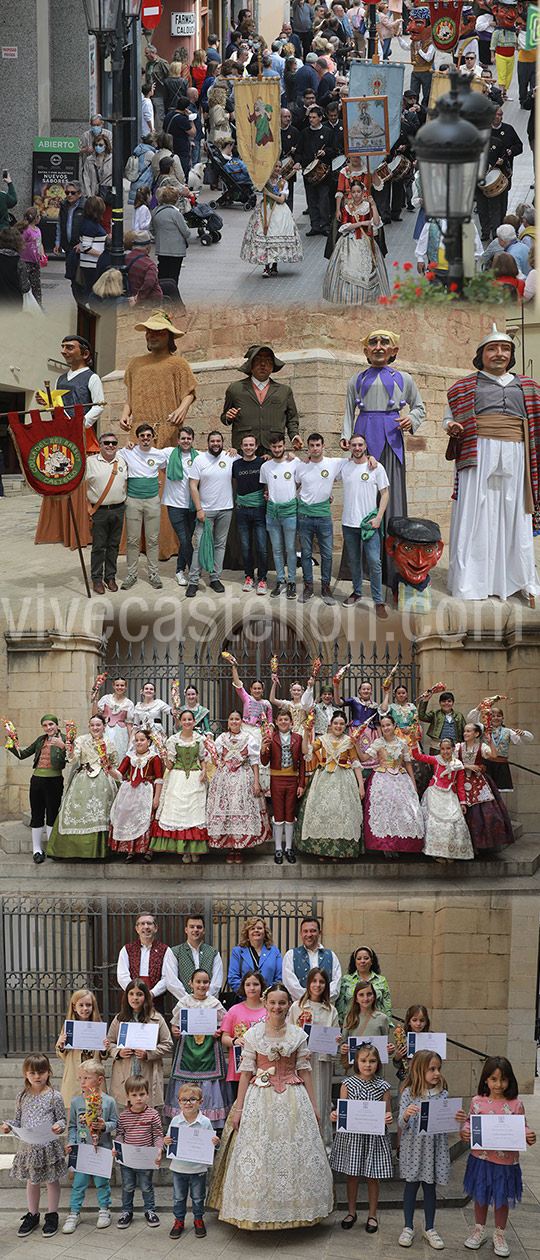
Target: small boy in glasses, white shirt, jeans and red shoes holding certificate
(189, 1177)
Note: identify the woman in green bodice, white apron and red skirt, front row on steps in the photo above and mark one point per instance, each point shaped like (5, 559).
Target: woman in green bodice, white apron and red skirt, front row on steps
(181, 825)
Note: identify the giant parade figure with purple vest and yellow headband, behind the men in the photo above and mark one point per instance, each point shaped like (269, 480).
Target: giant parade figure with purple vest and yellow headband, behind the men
(374, 409)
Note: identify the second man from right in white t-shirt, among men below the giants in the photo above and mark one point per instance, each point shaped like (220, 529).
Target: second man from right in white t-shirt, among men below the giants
(317, 479)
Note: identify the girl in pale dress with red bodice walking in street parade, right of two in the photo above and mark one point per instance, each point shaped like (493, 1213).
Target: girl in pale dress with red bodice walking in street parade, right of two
(357, 273)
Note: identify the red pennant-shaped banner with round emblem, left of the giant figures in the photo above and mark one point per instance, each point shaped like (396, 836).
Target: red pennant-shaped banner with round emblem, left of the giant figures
(51, 450)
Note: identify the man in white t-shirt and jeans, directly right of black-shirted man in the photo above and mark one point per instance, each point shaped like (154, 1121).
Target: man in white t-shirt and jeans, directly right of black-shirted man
(278, 477)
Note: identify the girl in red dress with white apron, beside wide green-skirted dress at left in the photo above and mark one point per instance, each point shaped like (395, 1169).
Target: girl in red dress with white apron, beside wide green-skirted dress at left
(135, 806)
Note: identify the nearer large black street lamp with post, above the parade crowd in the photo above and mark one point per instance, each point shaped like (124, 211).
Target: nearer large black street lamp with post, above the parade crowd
(449, 151)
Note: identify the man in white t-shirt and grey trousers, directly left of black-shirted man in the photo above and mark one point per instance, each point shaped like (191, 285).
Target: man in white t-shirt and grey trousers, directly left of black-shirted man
(212, 492)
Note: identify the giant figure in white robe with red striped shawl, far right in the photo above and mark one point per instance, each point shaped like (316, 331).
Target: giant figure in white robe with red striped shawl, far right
(494, 423)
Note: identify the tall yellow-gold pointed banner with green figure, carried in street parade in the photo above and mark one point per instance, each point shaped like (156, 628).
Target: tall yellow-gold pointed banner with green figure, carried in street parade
(257, 108)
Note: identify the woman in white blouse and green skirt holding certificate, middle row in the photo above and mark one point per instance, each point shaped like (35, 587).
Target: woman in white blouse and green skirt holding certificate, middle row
(200, 1058)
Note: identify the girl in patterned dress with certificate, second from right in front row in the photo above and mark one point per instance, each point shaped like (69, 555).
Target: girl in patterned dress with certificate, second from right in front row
(422, 1157)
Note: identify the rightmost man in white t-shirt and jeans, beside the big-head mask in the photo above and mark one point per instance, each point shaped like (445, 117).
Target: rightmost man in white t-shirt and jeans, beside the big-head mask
(366, 501)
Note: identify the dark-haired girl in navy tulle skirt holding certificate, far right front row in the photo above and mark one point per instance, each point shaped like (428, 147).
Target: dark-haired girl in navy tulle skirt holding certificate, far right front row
(494, 1176)
